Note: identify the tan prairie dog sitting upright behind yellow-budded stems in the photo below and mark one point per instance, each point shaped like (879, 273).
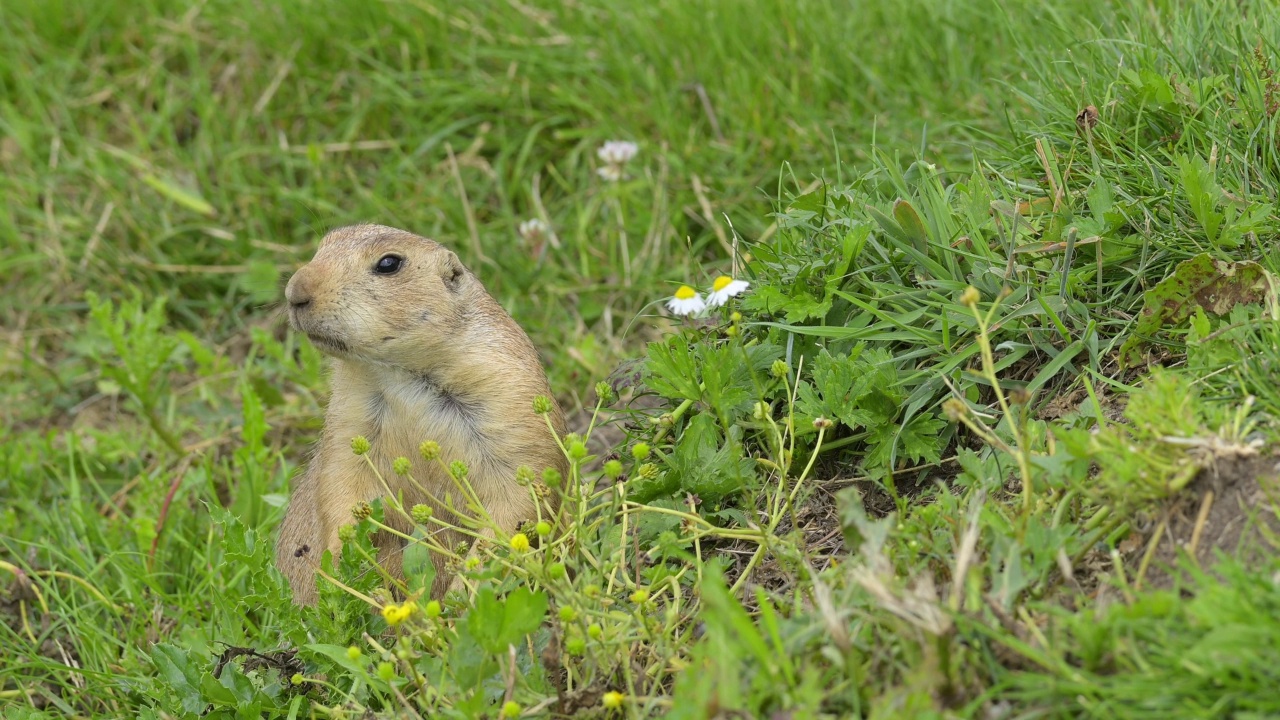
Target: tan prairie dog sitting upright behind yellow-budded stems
(420, 353)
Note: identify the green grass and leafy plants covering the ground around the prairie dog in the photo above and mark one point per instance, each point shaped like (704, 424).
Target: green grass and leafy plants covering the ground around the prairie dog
(861, 490)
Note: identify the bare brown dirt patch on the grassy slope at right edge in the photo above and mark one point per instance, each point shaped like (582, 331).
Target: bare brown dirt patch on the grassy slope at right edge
(1232, 509)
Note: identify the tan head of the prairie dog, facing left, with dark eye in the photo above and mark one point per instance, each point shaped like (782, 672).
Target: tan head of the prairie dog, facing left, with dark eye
(382, 295)
